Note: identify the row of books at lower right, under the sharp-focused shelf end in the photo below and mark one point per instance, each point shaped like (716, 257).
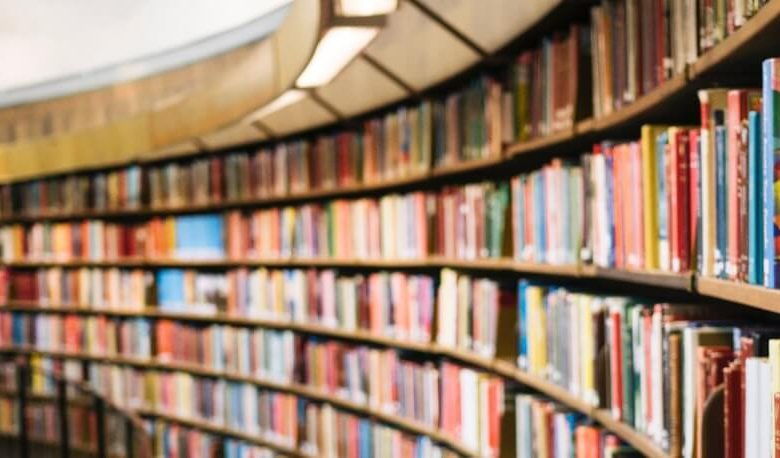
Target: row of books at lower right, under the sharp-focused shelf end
(678, 373)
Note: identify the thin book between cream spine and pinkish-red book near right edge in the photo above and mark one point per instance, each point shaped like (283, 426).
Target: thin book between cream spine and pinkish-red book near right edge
(721, 196)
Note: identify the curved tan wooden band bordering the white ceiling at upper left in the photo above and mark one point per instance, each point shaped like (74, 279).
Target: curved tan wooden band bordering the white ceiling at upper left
(226, 88)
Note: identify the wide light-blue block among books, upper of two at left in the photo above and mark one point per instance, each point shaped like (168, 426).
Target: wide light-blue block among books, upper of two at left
(200, 236)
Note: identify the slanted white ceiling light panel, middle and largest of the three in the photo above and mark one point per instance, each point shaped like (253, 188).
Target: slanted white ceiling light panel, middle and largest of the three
(334, 51)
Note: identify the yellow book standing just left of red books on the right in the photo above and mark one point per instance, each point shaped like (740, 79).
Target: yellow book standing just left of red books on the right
(650, 194)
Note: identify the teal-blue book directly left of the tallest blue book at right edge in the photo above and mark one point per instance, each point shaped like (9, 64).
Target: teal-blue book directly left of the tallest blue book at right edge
(755, 201)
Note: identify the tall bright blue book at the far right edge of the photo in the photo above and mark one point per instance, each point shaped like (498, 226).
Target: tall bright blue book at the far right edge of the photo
(771, 159)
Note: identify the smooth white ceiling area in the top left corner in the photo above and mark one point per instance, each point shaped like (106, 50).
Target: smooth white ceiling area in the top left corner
(46, 40)
